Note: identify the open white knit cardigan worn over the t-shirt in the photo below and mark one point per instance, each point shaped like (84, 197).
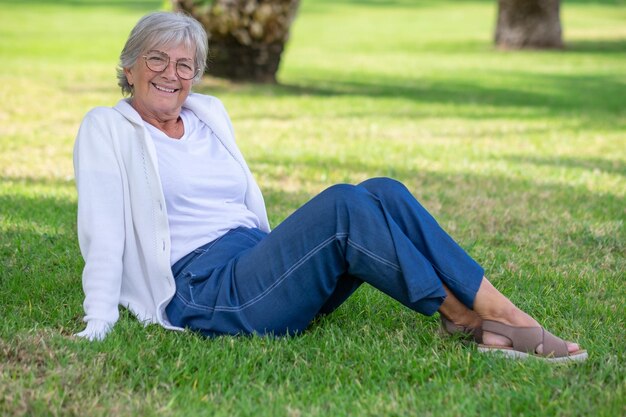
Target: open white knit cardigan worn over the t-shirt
(123, 229)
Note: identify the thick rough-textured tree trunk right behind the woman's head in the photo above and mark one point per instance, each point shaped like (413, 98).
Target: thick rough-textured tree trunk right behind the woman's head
(246, 37)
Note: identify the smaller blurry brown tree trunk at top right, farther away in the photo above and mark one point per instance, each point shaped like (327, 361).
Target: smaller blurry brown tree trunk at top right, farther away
(528, 24)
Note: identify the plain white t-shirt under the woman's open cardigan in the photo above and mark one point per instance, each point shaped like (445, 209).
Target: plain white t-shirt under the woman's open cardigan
(204, 186)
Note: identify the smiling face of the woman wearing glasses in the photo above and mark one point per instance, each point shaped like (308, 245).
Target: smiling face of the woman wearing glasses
(159, 95)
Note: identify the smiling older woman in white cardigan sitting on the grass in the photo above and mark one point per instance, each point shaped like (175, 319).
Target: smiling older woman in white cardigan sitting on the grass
(173, 226)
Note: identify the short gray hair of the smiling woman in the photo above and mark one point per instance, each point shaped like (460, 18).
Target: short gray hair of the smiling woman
(159, 29)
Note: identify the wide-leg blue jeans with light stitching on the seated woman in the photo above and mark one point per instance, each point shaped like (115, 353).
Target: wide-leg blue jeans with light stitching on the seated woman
(248, 281)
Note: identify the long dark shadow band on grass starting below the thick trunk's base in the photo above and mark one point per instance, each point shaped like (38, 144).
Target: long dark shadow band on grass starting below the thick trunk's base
(593, 97)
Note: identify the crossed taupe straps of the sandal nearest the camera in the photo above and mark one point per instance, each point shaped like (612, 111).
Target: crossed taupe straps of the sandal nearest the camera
(527, 339)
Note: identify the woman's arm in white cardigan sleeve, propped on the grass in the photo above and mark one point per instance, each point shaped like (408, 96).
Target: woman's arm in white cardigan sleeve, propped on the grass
(100, 221)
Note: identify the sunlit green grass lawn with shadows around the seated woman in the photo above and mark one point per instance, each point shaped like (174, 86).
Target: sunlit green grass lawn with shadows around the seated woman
(520, 155)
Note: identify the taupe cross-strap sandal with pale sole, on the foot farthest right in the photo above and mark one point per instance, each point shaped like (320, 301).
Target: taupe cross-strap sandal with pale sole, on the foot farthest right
(525, 341)
